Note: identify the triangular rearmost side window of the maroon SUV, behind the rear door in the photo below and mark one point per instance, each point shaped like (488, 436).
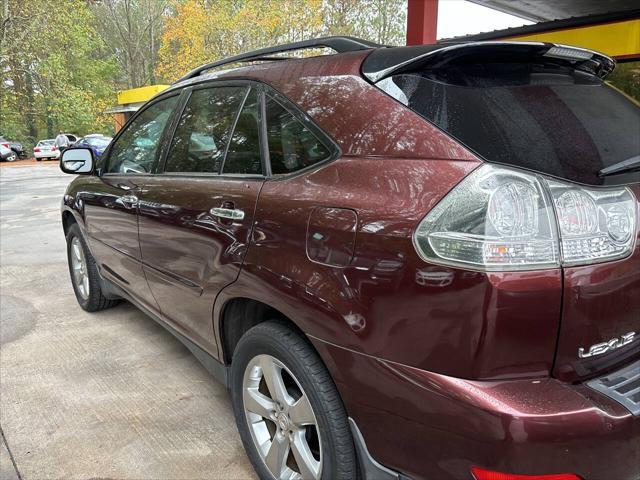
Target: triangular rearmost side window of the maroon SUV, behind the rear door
(292, 146)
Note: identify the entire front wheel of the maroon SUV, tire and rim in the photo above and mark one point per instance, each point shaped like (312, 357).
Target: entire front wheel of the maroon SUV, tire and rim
(84, 273)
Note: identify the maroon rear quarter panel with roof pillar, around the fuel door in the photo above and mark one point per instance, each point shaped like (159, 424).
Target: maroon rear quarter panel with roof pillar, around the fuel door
(388, 302)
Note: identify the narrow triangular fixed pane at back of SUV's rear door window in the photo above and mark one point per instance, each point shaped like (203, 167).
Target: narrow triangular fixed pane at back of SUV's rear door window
(243, 154)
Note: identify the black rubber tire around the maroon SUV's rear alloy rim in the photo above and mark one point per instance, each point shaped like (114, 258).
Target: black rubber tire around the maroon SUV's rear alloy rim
(276, 339)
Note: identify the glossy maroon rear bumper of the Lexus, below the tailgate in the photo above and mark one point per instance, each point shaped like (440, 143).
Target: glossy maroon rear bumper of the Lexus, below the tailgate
(427, 425)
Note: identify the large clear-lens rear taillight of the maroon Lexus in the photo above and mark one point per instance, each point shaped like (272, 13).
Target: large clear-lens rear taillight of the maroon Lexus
(504, 219)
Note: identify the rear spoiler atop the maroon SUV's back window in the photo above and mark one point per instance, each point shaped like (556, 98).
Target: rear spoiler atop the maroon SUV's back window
(384, 62)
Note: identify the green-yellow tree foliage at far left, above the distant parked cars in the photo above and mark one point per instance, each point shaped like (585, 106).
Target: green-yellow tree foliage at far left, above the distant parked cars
(52, 76)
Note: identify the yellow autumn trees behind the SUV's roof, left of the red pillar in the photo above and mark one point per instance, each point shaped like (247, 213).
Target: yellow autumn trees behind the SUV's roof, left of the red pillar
(204, 30)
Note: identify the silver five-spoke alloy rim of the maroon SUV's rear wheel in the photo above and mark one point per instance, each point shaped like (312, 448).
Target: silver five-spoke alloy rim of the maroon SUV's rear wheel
(281, 420)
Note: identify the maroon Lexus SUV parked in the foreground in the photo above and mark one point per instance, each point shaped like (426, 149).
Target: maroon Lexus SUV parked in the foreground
(409, 262)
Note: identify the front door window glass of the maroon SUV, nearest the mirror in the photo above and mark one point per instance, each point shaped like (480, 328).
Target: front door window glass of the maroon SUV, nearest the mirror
(135, 149)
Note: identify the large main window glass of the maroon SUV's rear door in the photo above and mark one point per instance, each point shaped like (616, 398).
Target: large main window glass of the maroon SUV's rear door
(203, 131)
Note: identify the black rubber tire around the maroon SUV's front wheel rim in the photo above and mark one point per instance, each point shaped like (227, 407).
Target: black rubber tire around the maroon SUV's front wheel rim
(95, 300)
